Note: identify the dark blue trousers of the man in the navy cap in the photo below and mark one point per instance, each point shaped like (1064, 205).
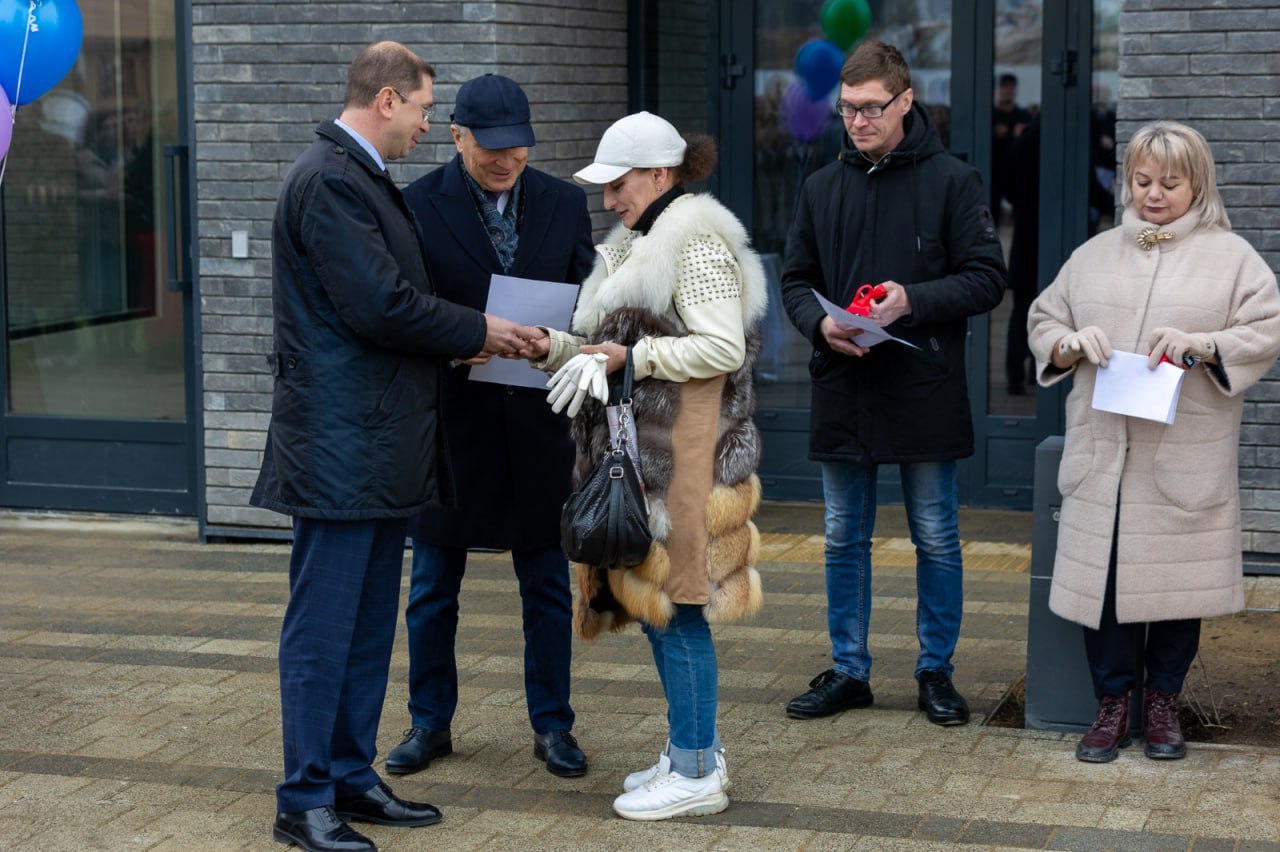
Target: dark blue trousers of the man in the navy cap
(432, 617)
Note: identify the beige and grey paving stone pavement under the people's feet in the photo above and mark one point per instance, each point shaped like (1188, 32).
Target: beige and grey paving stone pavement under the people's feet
(139, 712)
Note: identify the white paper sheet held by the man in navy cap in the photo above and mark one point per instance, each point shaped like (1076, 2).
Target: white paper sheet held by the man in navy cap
(531, 303)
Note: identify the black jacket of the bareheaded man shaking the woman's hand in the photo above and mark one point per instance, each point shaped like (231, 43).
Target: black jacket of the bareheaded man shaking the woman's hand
(359, 340)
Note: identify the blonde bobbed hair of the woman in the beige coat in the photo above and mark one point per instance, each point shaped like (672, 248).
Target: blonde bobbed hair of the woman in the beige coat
(1176, 148)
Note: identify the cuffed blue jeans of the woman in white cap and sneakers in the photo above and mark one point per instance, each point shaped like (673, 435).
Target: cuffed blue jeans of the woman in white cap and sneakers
(685, 657)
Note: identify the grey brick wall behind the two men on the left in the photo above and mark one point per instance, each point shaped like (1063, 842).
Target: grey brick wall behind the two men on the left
(267, 74)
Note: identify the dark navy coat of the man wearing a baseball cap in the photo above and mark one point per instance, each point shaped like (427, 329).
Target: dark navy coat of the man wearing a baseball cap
(505, 442)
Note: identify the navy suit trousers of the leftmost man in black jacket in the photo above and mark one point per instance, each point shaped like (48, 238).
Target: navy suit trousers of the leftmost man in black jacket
(336, 649)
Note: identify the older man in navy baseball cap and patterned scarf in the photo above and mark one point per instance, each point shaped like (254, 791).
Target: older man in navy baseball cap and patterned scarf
(487, 213)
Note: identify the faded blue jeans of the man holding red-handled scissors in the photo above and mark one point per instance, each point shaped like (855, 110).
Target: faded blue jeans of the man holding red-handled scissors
(932, 515)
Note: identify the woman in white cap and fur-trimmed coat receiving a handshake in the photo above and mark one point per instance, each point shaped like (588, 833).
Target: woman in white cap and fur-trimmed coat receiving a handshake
(678, 282)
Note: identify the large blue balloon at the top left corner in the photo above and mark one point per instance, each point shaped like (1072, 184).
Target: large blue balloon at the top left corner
(52, 47)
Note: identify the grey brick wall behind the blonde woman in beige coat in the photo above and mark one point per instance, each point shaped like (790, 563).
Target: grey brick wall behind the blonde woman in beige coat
(1217, 67)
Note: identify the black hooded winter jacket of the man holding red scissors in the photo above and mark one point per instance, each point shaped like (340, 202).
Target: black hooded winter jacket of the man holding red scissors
(918, 218)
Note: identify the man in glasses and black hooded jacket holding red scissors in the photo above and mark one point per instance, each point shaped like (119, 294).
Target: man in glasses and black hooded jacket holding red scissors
(899, 212)
